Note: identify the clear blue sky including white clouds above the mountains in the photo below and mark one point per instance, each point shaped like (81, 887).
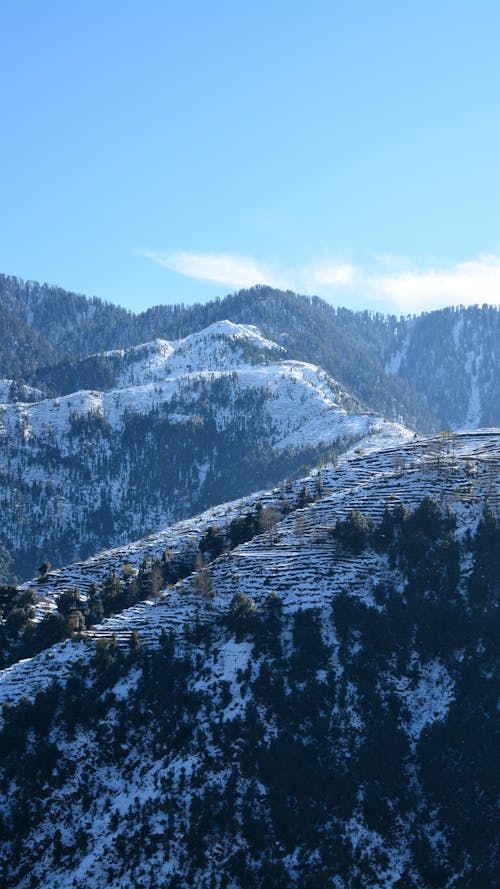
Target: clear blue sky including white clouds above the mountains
(177, 151)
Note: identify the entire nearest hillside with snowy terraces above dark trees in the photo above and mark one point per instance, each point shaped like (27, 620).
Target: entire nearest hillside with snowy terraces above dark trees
(313, 705)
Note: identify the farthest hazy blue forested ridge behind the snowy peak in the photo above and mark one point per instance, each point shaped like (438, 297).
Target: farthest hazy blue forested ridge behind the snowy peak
(435, 371)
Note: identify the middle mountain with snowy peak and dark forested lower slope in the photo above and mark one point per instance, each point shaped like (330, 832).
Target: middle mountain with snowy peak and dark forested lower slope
(187, 424)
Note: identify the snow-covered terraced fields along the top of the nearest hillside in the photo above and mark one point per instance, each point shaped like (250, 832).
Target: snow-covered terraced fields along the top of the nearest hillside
(297, 557)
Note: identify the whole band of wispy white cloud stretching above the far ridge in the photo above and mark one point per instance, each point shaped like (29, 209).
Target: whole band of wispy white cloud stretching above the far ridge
(387, 283)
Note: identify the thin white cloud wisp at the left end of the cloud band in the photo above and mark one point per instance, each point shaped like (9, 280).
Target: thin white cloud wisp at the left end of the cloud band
(222, 268)
